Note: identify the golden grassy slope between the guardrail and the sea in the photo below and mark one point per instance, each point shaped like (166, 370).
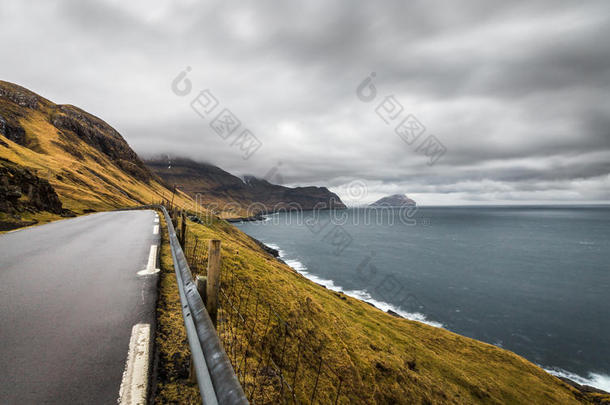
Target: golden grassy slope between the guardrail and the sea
(383, 359)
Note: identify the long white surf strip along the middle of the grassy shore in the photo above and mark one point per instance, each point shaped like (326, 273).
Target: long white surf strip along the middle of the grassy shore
(361, 295)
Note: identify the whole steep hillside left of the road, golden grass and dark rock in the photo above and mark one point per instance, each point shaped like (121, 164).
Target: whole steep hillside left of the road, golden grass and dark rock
(60, 160)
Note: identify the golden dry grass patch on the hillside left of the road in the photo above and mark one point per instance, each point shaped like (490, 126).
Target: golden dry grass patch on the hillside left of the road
(83, 177)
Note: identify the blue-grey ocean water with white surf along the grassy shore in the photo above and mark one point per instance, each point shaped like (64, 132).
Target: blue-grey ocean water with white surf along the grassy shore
(533, 280)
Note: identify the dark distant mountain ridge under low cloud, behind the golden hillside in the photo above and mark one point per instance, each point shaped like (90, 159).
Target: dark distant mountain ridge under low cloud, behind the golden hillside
(217, 187)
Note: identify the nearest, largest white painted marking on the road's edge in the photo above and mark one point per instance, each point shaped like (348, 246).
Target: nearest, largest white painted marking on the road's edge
(135, 377)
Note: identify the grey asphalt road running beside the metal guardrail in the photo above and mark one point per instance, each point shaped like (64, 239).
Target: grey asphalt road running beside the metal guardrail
(69, 298)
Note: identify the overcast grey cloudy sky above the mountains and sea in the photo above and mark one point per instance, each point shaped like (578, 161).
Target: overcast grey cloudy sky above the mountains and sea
(514, 93)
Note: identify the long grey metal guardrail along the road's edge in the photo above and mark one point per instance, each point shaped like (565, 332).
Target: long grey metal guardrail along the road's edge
(217, 381)
